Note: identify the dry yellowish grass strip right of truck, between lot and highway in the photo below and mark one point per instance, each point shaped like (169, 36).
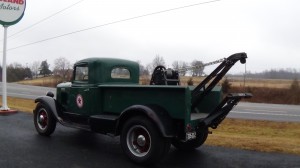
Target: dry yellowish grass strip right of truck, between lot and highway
(265, 136)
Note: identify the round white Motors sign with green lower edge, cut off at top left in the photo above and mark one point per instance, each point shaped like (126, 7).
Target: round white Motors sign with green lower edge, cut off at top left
(11, 11)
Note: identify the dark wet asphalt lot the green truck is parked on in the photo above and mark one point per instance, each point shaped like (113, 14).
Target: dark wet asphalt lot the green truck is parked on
(22, 147)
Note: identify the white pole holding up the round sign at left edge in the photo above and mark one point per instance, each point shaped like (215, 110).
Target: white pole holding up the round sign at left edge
(4, 92)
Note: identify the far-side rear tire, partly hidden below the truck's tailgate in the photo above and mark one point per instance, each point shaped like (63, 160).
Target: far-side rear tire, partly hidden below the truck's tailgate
(192, 144)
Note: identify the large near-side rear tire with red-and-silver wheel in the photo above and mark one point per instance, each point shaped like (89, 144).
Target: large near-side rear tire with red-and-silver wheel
(142, 142)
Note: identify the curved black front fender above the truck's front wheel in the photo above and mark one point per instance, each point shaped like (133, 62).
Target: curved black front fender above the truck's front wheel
(51, 104)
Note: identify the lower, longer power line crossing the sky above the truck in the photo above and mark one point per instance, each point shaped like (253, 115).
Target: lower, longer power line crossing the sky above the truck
(114, 22)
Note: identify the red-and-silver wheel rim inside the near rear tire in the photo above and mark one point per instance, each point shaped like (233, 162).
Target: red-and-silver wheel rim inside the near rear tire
(138, 141)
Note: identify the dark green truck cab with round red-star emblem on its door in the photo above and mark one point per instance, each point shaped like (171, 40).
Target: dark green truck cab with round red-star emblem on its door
(82, 95)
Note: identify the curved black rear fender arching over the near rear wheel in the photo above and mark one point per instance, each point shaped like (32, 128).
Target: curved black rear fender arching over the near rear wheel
(158, 115)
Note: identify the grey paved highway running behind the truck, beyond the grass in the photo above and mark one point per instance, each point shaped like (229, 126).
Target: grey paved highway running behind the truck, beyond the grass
(257, 111)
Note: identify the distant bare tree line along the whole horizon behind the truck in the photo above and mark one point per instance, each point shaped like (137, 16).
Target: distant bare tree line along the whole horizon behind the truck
(63, 70)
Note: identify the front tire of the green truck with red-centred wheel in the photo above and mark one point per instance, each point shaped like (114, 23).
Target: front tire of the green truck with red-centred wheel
(44, 121)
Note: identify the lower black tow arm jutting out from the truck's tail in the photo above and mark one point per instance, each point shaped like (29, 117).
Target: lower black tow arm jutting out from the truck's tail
(222, 110)
